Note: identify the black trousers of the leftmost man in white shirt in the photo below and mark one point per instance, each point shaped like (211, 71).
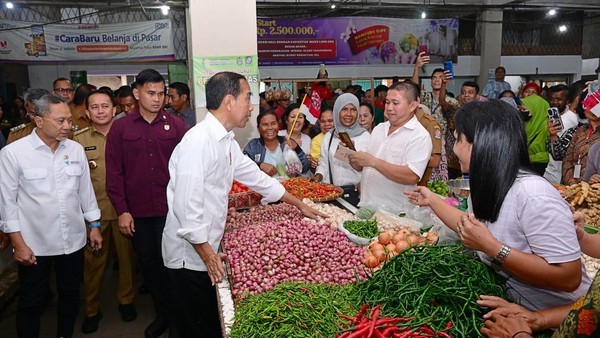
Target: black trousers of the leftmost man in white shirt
(33, 292)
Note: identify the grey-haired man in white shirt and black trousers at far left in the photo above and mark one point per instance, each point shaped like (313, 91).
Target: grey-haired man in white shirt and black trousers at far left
(46, 195)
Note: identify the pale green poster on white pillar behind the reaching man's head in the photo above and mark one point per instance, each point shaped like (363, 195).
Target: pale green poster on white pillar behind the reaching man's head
(206, 67)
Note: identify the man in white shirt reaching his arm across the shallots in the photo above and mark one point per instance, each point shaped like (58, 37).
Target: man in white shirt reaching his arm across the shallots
(202, 168)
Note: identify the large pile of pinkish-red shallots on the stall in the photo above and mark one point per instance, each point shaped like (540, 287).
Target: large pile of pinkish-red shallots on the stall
(268, 247)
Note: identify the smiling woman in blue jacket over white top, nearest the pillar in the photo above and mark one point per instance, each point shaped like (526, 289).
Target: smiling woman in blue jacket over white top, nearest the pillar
(267, 150)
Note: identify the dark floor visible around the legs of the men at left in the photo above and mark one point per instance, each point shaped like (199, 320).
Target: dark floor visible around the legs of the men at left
(111, 325)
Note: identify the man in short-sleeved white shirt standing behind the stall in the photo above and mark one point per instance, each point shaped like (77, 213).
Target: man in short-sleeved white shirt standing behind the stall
(398, 152)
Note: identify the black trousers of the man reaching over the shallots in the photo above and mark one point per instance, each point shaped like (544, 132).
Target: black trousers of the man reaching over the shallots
(195, 303)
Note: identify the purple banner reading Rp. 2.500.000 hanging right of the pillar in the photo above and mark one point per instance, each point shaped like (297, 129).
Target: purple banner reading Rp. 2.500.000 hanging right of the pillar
(355, 40)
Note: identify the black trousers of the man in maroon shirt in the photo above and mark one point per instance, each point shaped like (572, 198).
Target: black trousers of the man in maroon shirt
(147, 244)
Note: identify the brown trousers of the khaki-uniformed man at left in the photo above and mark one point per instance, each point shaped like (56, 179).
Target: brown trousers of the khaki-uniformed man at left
(95, 264)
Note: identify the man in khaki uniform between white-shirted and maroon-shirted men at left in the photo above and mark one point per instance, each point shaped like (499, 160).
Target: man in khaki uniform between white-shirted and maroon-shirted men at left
(101, 108)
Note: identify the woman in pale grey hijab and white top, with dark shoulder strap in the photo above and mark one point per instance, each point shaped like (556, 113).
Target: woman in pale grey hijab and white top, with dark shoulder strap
(332, 170)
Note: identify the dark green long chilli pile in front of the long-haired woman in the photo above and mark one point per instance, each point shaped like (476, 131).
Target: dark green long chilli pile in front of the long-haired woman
(435, 285)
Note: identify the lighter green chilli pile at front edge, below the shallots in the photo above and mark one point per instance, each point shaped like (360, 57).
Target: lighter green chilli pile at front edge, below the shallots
(295, 310)
